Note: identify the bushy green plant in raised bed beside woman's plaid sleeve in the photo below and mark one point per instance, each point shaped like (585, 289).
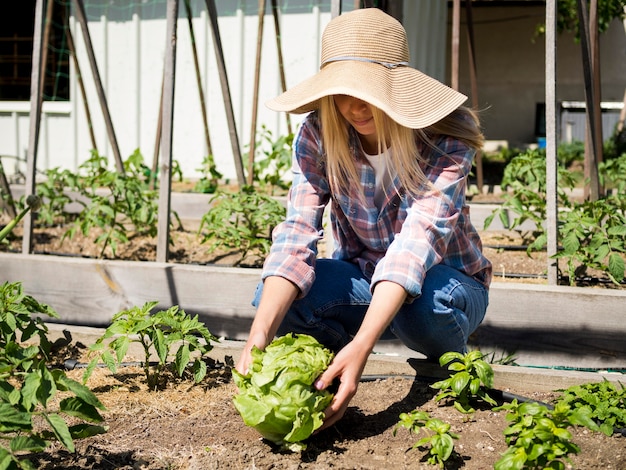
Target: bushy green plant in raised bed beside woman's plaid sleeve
(241, 221)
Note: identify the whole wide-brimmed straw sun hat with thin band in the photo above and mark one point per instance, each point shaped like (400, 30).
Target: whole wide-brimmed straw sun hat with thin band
(365, 54)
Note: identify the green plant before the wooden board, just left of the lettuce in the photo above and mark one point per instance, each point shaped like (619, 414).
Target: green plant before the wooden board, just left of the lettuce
(159, 333)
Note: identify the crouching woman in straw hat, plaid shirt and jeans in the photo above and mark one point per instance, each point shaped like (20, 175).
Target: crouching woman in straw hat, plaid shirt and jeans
(390, 149)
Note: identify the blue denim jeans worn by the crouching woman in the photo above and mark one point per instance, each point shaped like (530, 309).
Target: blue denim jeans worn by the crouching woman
(451, 307)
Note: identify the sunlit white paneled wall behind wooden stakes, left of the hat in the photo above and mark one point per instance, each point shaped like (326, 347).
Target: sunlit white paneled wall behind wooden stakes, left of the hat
(129, 48)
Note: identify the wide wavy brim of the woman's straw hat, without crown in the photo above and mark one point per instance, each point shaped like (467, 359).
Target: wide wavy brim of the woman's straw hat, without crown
(406, 95)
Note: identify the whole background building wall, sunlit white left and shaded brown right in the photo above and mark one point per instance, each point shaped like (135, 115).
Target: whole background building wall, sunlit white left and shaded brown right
(129, 43)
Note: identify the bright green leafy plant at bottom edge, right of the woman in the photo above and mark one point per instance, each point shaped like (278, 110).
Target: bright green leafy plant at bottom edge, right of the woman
(538, 437)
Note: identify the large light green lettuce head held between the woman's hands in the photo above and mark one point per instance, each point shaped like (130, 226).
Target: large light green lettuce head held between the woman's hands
(277, 396)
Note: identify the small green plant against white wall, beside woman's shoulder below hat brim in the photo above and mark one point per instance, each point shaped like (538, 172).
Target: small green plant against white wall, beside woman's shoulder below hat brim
(270, 170)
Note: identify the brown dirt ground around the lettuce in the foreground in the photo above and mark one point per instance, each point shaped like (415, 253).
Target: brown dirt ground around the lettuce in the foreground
(188, 426)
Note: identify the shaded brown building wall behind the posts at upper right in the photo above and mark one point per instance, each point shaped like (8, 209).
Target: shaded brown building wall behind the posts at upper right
(511, 69)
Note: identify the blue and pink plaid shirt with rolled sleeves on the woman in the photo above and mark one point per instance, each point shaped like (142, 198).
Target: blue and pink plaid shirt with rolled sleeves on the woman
(399, 242)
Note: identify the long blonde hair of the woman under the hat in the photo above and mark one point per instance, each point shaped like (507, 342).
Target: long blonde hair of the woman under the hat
(405, 159)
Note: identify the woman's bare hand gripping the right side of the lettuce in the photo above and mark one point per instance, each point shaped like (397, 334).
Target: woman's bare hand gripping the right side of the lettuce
(347, 366)
